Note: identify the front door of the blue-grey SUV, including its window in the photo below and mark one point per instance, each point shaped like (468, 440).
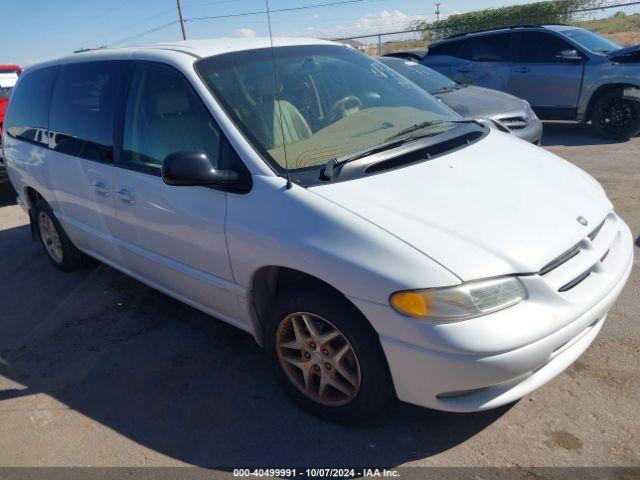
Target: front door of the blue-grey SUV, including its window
(547, 82)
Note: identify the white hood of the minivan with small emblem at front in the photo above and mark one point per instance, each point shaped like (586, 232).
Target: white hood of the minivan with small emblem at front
(499, 206)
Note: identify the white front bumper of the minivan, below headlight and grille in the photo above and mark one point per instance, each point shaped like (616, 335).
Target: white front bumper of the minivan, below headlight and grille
(490, 361)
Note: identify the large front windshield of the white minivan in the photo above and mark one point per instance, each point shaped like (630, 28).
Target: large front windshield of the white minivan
(331, 102)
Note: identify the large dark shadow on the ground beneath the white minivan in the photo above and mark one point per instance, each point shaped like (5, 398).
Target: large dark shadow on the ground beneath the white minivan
(180, 382)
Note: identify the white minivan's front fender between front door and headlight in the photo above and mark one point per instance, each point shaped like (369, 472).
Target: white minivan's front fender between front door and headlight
(300, 230)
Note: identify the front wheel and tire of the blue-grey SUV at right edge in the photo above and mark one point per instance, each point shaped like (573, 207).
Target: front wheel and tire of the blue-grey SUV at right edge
(616, 117)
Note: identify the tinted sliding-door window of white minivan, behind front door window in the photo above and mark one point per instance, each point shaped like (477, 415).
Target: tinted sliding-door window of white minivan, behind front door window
(83, 109)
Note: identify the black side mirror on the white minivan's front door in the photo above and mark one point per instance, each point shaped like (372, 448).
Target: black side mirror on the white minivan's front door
(183, 169)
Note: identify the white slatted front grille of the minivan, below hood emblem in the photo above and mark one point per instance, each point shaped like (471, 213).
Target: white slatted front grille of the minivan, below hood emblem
(577, 264)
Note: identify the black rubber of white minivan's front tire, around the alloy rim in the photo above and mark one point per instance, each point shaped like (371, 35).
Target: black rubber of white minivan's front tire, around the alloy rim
(375, 386)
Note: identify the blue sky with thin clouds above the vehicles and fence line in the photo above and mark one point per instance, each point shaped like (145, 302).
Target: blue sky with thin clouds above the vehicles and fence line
(36, 30)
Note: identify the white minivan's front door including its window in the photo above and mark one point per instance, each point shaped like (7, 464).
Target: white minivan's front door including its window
(171, 237)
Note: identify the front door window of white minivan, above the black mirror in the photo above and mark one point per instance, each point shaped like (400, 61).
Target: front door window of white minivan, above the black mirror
(164, 116)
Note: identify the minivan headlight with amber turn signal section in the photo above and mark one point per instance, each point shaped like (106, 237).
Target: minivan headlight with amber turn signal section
(461, 302)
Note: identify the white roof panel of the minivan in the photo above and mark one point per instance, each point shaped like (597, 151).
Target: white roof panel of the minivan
(195, 48)
